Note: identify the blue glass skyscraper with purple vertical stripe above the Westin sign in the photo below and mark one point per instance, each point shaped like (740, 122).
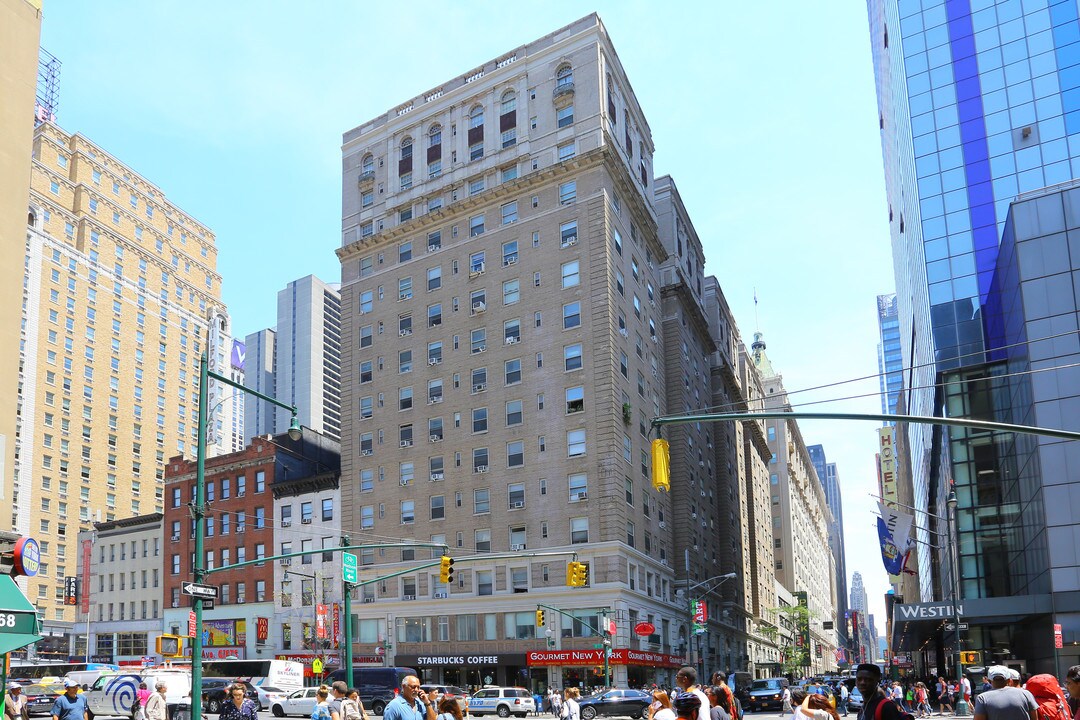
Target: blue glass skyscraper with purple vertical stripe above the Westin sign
(980, 112)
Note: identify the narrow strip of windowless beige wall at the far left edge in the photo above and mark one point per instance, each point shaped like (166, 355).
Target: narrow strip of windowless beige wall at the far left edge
(20, 30)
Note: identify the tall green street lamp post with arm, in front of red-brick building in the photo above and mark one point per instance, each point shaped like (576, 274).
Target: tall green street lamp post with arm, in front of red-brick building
(198, 511)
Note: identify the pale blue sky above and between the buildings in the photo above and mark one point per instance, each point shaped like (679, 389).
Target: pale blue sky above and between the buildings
(764, 114)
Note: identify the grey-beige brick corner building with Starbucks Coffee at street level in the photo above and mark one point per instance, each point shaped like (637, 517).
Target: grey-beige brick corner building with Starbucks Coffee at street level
(502, 347)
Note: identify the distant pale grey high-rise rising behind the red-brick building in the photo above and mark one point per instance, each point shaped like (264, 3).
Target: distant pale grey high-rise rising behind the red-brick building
(299, 362)
